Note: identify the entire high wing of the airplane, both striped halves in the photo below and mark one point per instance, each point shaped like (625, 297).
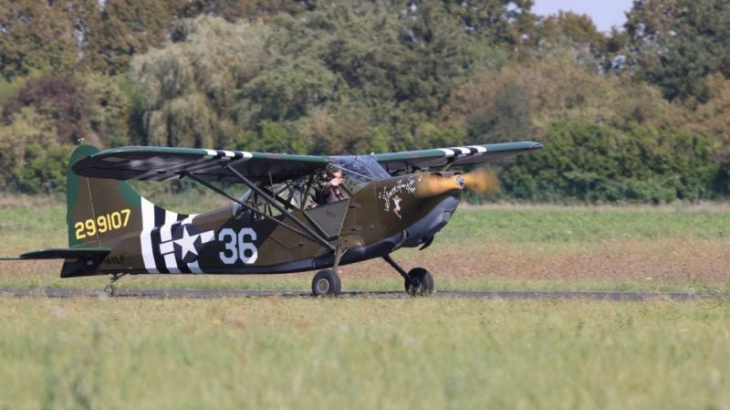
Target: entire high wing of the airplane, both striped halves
(163, 163)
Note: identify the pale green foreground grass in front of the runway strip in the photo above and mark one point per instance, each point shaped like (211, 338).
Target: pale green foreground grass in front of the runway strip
(362, 353)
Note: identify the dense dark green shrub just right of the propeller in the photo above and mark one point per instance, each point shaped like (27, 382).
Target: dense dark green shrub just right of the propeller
(592, 163)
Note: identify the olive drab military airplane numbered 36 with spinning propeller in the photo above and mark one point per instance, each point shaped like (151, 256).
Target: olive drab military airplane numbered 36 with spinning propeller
(284, 223)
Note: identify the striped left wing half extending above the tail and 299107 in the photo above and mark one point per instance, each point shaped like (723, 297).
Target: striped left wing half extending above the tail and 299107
(162, 163)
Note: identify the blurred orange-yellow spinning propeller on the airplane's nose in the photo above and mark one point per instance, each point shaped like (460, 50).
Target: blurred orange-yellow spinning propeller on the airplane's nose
(483, 181)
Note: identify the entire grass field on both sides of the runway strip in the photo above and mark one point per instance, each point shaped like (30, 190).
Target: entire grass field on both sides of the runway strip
(369, 353)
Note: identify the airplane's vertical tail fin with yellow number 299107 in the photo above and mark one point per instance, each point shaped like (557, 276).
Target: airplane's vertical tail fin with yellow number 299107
(99, 210)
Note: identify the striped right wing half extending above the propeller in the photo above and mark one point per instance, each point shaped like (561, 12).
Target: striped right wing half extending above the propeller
(467, 155)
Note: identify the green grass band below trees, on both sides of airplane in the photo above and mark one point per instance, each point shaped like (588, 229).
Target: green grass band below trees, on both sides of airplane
(534, 224)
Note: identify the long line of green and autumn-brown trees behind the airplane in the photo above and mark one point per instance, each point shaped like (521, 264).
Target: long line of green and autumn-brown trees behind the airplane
(640, 114)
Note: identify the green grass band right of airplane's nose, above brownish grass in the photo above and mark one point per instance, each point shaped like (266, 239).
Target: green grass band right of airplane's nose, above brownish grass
(584, 224)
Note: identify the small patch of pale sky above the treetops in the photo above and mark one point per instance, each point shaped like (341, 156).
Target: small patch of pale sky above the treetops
(604, 13)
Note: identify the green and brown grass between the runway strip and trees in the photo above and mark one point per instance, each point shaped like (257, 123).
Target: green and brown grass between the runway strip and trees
(497, 248)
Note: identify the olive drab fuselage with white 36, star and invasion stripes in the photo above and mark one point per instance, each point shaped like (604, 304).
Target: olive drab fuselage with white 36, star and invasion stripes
(374, 221)
